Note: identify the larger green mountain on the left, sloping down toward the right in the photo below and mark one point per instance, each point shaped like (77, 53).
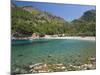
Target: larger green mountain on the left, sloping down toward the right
(27, 20)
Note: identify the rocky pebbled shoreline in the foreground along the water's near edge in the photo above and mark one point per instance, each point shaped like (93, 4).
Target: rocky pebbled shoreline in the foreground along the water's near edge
(59, 67)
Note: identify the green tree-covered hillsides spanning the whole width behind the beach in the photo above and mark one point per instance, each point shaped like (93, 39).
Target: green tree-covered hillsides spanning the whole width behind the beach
(26, 21)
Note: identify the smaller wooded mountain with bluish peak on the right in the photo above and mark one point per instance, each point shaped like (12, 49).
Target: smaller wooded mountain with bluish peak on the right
(86, 24)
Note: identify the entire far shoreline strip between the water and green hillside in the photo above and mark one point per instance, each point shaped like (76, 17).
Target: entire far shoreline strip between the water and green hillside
(90, 38)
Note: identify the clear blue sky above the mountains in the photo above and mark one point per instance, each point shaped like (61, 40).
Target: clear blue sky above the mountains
(68, 12)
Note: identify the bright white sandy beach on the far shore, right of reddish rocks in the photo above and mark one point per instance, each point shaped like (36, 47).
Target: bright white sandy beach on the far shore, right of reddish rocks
(72, 37)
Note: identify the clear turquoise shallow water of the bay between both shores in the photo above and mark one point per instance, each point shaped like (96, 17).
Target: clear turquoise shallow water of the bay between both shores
(52, 51)
